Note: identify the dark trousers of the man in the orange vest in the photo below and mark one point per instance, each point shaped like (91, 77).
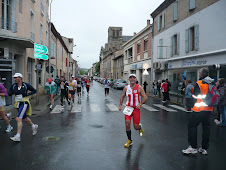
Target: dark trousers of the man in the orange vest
(195, 119)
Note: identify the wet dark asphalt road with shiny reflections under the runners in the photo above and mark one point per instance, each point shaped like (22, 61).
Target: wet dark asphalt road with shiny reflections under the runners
(94, 139)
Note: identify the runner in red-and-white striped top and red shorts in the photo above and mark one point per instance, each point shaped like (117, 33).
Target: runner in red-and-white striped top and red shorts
(133, 105)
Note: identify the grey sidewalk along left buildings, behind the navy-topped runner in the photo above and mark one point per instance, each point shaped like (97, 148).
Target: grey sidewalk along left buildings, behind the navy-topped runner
(37, 109)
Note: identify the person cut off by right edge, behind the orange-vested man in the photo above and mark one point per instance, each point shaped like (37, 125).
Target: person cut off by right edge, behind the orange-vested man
(222, 103)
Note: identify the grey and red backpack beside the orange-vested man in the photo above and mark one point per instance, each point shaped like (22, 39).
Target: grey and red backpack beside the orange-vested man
(212, 98)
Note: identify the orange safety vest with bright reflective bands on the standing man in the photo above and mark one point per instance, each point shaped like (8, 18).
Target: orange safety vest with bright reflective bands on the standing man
(200, 105)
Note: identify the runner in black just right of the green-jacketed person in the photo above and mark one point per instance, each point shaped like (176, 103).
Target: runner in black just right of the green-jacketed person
(64, 90)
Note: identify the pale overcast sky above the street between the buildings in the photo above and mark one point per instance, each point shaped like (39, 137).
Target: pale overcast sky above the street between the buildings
(87, 21)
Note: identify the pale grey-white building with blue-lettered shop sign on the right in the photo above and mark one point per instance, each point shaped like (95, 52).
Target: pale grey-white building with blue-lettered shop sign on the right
(188, 35)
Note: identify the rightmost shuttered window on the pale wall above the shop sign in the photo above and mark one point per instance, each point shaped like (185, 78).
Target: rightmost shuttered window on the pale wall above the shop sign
(192, 39)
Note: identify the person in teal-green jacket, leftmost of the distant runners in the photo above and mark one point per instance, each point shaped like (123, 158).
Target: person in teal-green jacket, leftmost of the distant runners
(50, 88)
